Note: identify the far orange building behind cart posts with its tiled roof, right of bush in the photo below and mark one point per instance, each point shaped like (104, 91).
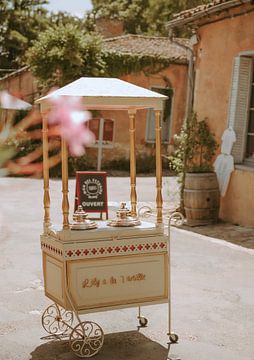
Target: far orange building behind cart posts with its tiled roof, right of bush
(170, 81)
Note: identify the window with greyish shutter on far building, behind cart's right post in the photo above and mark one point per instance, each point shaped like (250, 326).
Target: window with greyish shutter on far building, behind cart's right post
(165, 118)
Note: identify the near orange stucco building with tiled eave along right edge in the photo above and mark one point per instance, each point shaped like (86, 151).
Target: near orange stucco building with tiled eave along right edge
(223, 52)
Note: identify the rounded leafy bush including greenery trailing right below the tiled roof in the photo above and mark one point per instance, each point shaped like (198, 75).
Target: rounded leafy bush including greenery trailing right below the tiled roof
(64, 53)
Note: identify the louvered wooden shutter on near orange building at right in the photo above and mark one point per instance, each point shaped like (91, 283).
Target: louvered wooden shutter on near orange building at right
(239, 104)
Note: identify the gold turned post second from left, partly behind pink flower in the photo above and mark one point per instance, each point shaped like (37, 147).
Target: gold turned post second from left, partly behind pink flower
(65, 190)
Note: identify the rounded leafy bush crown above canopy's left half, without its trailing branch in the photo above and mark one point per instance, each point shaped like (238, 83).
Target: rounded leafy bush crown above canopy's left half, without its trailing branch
(64, 53)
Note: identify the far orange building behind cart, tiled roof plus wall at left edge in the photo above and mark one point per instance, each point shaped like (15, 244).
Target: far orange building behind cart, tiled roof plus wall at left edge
(170, 81)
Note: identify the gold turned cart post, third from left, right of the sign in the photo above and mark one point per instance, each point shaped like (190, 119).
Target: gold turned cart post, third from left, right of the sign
(132, 130)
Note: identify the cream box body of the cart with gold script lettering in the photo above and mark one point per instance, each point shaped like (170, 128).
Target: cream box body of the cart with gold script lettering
(112, 268)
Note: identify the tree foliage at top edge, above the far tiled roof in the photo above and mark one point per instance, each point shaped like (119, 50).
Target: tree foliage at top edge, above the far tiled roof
(143, 16)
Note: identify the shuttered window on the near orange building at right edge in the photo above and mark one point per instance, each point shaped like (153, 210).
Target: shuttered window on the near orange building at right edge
(241, 109)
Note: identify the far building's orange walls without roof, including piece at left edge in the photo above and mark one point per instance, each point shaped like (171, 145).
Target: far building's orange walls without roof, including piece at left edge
(23, 85)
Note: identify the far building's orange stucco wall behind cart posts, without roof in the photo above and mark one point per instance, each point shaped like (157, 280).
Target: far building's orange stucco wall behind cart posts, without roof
(176, 75)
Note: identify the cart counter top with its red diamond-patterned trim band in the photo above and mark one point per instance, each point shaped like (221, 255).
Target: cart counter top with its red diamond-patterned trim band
(104, 241)
